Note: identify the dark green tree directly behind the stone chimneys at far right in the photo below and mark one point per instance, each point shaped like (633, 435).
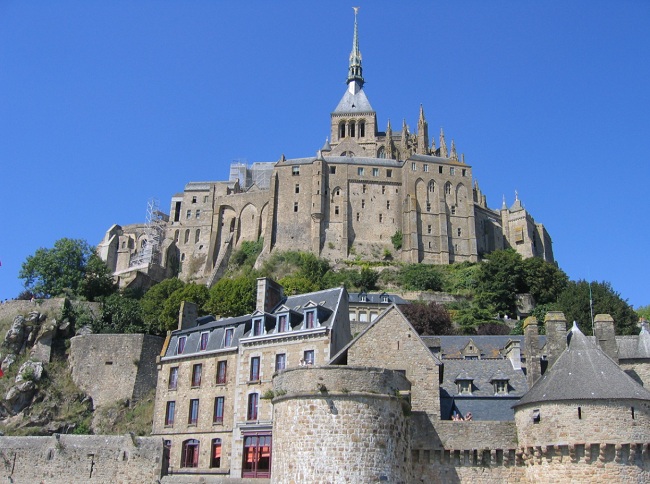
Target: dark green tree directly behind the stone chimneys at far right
(574, 303)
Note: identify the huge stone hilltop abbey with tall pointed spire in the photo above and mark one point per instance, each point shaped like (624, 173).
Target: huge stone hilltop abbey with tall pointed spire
(361, 188)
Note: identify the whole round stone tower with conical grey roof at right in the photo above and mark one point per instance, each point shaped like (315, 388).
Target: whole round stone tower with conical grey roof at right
(585, 411)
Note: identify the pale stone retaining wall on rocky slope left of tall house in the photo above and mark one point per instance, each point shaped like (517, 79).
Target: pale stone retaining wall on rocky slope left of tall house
(111, 367)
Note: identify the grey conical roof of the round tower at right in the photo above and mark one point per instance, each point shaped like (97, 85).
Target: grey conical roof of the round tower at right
(583, 372)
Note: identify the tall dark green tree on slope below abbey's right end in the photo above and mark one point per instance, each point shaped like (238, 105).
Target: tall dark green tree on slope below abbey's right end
(499, 279)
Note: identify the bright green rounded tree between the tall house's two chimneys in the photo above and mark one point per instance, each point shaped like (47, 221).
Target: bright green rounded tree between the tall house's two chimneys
(232, 297)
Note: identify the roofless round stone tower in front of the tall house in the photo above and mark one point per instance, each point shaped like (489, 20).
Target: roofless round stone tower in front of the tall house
(351, 428)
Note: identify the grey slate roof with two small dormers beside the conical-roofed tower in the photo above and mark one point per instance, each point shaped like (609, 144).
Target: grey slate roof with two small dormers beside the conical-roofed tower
(482, 403)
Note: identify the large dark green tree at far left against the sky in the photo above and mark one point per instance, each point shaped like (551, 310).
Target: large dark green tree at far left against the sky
(64, 269)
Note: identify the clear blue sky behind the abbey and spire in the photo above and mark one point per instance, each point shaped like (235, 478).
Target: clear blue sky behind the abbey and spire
(104, 105)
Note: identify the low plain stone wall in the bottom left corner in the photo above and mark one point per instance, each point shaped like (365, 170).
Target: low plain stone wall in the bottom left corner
(81, 458)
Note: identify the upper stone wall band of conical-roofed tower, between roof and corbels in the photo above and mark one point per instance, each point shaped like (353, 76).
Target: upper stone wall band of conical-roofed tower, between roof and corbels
(615, 421)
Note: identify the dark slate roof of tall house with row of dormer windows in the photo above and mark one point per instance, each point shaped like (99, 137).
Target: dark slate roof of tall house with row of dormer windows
(326, 303)
